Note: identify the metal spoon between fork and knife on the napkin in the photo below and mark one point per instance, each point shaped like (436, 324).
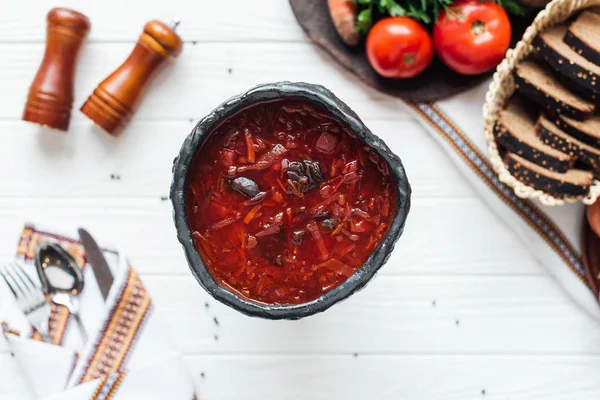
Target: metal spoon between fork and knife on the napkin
(61, 278)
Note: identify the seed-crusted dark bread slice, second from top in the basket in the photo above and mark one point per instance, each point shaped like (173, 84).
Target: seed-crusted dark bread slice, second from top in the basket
(551, 47)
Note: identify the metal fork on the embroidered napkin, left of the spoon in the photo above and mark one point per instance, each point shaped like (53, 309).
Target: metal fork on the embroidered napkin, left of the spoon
(30, 298)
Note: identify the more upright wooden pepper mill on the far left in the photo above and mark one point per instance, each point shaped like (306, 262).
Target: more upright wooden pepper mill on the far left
(50, 97)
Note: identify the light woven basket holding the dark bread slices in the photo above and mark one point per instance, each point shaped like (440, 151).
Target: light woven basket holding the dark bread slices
(503, 86)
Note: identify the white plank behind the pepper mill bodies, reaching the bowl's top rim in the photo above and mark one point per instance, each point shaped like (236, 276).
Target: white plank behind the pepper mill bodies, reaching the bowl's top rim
(199, 80)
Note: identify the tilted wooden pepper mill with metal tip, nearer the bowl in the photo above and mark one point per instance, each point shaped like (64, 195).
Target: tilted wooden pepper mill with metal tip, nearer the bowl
(116, 98)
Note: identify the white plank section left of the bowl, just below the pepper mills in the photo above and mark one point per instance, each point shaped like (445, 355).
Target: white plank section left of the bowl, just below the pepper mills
(89, 163)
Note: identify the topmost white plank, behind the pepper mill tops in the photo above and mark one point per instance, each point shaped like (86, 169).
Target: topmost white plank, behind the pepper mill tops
(266, 20)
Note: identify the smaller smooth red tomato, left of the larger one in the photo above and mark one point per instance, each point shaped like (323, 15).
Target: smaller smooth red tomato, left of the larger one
(399, 47)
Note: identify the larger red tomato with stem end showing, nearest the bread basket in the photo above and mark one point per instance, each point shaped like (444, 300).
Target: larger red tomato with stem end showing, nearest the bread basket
(473, 36)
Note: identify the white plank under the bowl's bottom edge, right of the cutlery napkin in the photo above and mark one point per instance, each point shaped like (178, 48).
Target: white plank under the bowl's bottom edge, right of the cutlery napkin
(393, 315)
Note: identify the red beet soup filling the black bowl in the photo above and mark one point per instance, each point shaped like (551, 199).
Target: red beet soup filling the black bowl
(285, 203)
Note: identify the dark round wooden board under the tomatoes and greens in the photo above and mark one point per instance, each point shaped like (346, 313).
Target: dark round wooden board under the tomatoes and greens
(436, 83)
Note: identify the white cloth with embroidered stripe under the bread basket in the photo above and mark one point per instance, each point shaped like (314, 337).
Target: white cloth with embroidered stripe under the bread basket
(551, 233)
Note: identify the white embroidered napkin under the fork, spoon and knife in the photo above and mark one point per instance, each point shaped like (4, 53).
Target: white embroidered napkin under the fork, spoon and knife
(128, 354)
